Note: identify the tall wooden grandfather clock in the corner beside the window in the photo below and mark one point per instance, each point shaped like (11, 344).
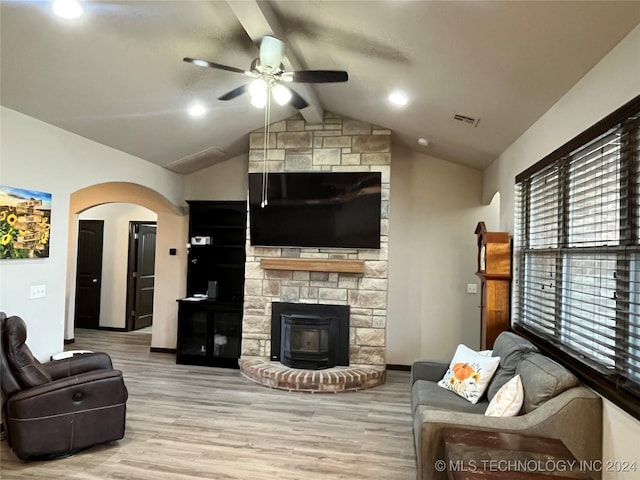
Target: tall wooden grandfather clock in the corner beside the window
(494, 271)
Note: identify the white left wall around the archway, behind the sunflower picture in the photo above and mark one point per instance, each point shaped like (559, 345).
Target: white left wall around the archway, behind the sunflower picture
(42, 157)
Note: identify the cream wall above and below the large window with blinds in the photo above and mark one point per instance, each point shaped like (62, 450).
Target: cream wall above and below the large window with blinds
(610, 84)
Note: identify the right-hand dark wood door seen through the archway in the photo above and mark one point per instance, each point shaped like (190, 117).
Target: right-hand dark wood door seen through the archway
(144, 275)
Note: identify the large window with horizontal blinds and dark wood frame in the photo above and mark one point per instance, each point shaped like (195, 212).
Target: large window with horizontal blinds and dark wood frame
(577, 255)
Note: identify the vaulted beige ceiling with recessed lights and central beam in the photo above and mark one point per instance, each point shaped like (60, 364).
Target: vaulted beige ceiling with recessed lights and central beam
(116, 74)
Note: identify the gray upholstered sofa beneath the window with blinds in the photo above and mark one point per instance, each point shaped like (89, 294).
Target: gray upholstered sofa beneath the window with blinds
(555, 405)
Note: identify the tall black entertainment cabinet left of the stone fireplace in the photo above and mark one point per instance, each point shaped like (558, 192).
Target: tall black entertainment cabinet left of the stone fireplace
(210, 317)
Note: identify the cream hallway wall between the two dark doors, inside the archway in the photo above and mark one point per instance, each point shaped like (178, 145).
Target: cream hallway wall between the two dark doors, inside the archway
(115, 257)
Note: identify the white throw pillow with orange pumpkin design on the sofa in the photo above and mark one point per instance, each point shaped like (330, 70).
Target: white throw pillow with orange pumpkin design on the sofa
(469, 373)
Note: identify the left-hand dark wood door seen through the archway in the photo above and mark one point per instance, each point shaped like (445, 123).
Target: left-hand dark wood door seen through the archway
(89, 273)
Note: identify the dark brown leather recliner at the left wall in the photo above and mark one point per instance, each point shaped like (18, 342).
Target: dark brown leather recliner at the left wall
(56, 408)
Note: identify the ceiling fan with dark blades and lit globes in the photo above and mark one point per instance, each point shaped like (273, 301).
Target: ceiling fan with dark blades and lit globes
(269, 76)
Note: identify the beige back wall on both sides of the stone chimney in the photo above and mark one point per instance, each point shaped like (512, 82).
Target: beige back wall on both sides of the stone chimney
(435, 206)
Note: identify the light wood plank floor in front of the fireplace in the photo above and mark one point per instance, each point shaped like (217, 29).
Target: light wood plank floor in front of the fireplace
(186, 422)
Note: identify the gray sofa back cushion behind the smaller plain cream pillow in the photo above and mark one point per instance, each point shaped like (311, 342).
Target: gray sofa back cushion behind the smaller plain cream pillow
(542, 379)
